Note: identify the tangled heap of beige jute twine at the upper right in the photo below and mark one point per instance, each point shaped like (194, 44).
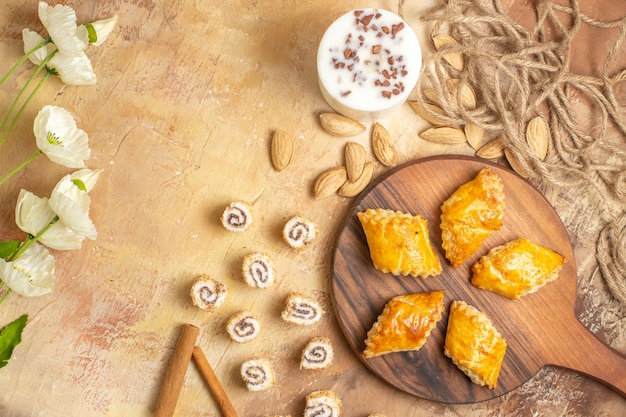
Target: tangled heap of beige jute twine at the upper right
(517, 75)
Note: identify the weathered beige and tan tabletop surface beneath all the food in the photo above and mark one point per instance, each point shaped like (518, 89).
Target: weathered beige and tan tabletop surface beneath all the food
(188, 95)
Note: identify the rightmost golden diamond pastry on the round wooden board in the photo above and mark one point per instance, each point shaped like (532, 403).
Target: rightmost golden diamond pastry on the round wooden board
(516, 268)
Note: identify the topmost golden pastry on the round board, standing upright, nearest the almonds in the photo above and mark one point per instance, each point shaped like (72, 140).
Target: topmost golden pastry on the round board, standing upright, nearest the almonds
(470, 214)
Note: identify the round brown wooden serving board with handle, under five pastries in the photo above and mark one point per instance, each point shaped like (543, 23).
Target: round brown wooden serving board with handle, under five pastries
(541, 328)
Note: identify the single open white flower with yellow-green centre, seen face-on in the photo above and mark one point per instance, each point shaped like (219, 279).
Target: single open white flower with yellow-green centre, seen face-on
(59, 138)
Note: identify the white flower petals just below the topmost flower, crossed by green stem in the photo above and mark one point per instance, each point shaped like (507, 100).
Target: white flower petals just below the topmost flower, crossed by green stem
(72, 69)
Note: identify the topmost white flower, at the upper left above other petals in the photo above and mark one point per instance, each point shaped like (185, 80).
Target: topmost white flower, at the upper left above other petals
(60, 22)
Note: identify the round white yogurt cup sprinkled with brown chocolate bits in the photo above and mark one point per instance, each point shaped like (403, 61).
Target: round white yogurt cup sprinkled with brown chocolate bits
(368, 61)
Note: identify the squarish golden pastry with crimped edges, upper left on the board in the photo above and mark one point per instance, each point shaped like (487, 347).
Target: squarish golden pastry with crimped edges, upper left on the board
(399, 243)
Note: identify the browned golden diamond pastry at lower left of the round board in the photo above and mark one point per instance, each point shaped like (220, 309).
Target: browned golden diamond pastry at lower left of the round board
(405, 323)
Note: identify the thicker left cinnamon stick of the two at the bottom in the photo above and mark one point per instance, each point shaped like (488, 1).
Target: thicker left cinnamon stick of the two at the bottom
(175, 374)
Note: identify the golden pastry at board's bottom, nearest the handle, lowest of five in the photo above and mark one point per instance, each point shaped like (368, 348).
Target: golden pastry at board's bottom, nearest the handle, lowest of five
(474, 344)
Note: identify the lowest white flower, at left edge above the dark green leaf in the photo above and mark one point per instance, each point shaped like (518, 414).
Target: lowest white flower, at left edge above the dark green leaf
(32, 274)
